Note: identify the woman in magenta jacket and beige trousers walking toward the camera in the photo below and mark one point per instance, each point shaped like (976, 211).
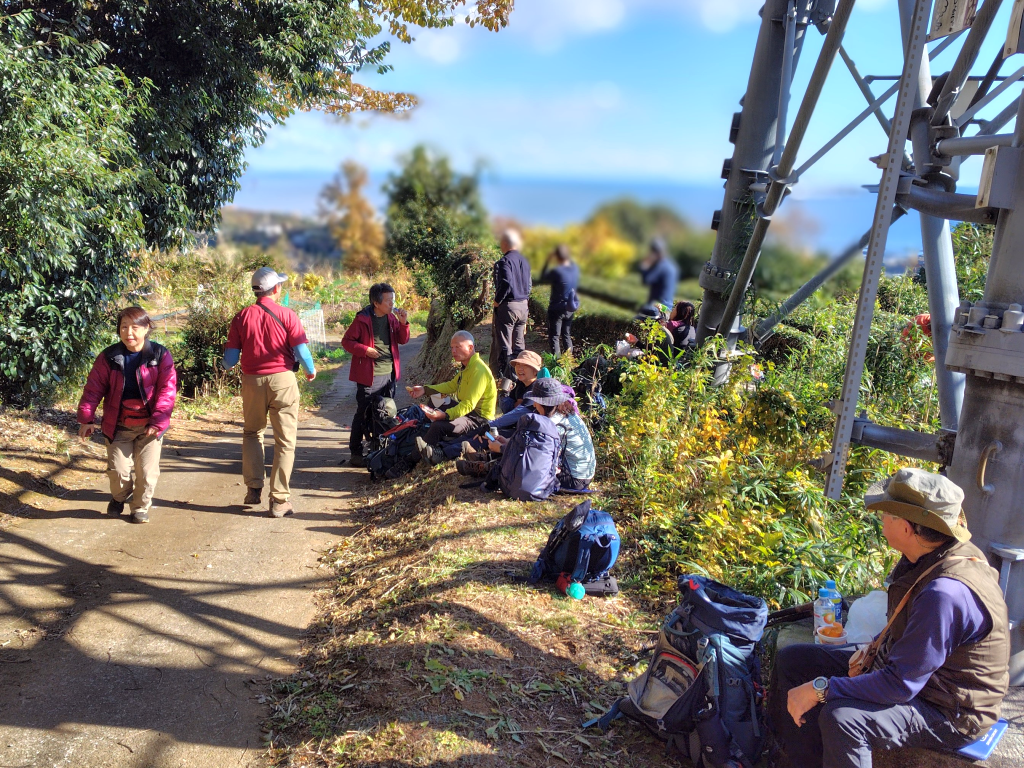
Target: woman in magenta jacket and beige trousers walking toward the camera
(138, 383)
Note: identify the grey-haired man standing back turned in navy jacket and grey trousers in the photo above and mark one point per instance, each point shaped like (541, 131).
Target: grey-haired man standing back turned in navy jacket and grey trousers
(513, 287)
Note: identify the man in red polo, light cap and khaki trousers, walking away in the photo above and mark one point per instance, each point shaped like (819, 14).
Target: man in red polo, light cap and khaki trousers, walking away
(271, 343)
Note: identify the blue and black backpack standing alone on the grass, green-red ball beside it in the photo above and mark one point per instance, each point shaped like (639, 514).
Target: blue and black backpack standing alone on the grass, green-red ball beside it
(585, 545)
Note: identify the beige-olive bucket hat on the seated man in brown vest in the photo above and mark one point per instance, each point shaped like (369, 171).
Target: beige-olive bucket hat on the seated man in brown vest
(924, 498)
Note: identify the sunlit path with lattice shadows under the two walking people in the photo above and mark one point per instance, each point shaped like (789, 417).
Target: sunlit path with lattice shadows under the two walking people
(152, 646)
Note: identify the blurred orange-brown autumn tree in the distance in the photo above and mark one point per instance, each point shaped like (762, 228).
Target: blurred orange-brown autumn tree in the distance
(353, 221)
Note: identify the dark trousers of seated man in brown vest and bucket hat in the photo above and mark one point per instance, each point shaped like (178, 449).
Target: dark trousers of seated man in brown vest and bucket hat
(843, 733)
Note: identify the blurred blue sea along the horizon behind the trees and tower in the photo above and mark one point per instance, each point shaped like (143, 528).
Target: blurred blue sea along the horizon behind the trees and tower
(828, 223)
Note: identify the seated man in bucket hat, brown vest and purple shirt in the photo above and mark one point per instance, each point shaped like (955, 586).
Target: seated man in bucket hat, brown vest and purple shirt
(942, 670)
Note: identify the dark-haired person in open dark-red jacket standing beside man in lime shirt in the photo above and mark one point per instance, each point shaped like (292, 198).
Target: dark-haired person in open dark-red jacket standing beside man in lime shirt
(373, 340)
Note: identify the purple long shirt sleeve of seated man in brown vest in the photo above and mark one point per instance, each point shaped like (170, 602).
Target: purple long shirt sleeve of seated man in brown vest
(946, 616)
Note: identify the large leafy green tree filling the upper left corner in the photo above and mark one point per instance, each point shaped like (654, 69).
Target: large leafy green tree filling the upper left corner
(125, 125)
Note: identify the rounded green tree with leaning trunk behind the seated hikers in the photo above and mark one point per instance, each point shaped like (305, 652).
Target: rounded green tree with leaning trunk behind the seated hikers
(438, 225)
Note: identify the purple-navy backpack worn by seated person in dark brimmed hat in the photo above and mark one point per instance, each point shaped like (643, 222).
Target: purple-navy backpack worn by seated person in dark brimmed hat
(529, 468)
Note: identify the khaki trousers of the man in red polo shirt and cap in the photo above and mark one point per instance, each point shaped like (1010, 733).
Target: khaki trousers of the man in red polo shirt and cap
(277, 396)
